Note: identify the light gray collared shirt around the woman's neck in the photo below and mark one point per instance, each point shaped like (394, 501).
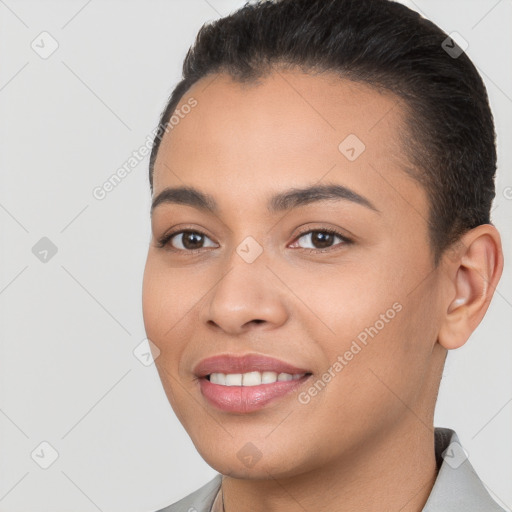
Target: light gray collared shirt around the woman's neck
(457, 486)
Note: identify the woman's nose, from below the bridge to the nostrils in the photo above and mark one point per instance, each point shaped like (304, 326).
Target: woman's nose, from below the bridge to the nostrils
(246, 296)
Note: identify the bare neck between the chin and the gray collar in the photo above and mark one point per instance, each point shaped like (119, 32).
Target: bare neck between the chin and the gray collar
(396, 472)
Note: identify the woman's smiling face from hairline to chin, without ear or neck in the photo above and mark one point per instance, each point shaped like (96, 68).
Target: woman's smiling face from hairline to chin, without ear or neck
(358, 309)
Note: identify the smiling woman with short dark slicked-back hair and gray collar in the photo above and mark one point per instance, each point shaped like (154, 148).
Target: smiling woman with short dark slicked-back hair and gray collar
(322, 180)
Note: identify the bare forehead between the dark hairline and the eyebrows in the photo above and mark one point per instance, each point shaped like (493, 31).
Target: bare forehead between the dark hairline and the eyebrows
(287, 129)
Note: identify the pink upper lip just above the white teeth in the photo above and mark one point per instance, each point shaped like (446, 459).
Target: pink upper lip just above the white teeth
(230, 363)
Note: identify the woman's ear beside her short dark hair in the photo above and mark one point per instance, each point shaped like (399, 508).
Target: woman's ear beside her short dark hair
(474, 265)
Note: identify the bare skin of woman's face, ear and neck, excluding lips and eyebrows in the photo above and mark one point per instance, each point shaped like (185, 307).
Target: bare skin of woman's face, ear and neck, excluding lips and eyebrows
(365, 441)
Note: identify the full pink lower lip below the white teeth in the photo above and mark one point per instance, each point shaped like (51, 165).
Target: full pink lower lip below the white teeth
(244, 399)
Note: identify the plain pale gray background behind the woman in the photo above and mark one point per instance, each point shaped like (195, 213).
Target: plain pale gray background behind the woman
(69, 325)
